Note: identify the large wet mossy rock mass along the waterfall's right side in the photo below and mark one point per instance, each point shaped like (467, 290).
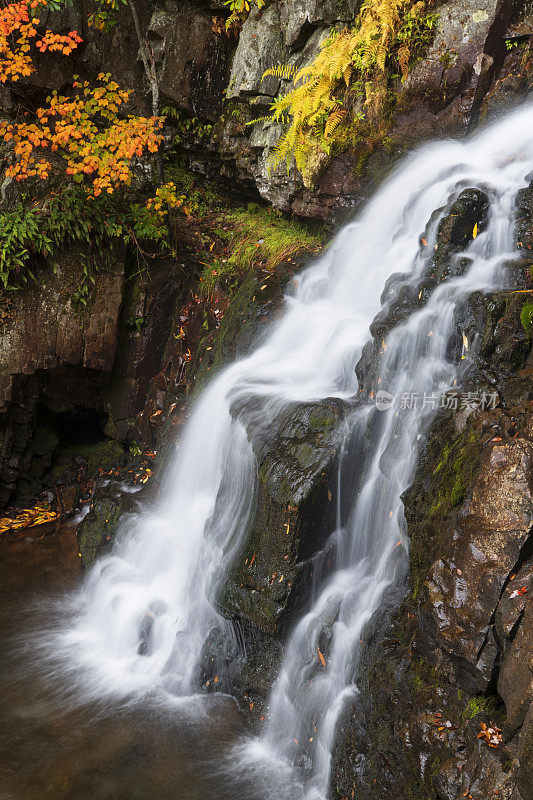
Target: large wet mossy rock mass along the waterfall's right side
(456, 653)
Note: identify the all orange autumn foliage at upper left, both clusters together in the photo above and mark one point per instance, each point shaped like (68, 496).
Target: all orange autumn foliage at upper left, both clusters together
(83, 134)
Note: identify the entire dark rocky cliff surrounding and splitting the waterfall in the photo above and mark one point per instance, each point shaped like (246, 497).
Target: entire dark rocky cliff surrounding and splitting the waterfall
(452, 650)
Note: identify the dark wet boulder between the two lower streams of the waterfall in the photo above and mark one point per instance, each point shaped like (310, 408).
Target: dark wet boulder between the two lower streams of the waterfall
(294, 509)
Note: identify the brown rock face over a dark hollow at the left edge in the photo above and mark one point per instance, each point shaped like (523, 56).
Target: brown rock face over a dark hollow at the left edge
(54, 355)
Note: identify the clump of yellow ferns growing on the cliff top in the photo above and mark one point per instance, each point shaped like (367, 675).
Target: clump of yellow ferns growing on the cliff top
(342, 96)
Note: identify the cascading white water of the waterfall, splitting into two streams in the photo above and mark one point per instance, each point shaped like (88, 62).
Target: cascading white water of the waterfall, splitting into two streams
(168, 561)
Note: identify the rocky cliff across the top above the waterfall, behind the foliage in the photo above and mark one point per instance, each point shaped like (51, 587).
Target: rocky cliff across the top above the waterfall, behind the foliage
(212, 87)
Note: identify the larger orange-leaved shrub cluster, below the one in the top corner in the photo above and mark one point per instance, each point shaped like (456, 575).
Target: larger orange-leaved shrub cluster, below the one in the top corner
(95, 144)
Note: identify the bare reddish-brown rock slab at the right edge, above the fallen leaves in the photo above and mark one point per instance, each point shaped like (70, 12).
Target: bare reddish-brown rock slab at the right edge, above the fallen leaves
(487, 537)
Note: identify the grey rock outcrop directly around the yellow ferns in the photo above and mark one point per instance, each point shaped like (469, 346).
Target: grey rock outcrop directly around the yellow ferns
(441, 96)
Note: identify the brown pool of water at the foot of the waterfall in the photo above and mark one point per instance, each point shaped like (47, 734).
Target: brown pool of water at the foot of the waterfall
(55, 748)
